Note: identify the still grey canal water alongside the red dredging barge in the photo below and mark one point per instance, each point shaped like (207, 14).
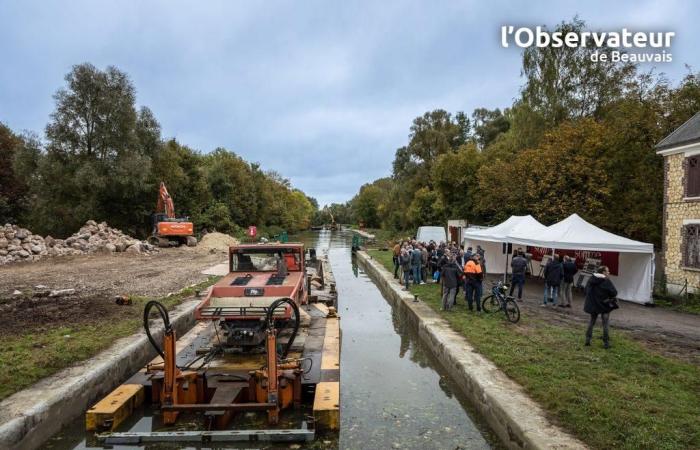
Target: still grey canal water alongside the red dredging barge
(393, 393)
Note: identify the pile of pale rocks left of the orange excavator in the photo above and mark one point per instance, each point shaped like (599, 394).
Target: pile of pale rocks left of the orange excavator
(19, 244)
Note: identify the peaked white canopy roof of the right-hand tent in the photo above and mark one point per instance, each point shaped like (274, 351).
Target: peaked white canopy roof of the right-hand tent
(575, 233)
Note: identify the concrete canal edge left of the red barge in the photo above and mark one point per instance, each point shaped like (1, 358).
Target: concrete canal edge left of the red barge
(30, 417)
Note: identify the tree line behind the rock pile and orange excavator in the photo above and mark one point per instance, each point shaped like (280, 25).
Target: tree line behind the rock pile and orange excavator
(103, 158)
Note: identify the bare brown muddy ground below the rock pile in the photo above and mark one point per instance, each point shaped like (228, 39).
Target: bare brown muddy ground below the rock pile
(97, 279)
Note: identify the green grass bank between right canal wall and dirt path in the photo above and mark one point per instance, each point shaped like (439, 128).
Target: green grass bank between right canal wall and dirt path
(625, 397)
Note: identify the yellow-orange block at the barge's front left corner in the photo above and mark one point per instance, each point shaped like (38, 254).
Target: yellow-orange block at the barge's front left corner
(115, 408)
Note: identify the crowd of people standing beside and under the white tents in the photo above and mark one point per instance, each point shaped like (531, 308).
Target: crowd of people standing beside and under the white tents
(456, 268)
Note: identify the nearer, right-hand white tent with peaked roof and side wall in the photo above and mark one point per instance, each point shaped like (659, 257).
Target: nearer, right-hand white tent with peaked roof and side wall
(634, 280)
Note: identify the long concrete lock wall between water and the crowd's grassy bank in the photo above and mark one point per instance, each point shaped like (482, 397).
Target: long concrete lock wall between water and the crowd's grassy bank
(518, 421)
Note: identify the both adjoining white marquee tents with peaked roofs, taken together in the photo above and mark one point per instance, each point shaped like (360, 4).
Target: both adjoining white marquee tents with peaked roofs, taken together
(634, 280)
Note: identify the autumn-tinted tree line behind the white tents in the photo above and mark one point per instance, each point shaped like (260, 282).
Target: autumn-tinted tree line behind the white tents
(579, 138)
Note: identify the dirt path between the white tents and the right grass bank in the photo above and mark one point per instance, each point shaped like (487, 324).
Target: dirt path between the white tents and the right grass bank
(668, 332)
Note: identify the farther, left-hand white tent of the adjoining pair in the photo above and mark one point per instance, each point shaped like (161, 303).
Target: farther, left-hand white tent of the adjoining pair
(493, 239)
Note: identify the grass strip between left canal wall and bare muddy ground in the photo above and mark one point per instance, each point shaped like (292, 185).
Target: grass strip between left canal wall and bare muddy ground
(27, 358)
